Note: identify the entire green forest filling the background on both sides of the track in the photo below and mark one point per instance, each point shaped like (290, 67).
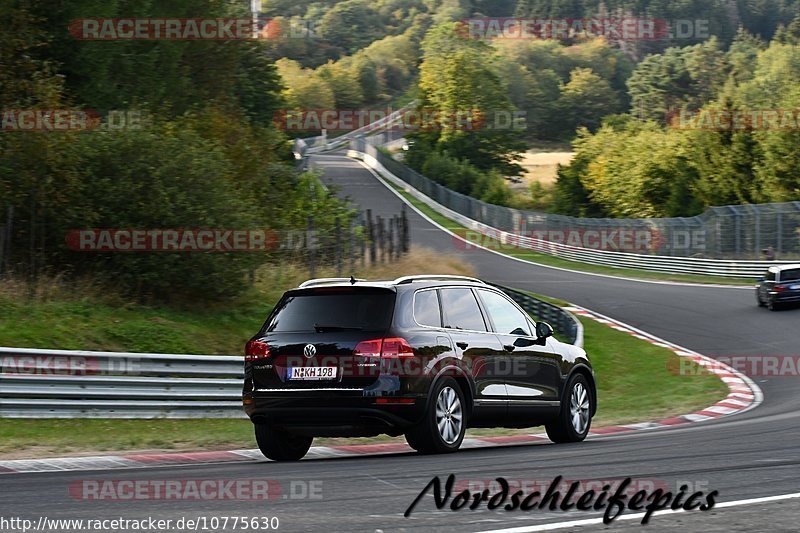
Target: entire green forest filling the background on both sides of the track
(209, 154)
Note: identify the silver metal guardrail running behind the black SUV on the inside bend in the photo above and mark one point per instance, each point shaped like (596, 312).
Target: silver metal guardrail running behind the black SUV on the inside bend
(38, 383)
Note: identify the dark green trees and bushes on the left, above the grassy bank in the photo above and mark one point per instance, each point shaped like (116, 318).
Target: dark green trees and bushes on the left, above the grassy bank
(206, 157)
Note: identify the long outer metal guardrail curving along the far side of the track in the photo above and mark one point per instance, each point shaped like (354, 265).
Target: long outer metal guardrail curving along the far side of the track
(399, 174)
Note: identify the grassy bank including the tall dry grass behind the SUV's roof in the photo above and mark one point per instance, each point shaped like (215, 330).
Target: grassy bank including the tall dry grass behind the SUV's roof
(73, 316)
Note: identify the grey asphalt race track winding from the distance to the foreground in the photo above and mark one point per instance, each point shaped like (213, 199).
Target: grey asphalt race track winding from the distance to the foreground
(747, 456)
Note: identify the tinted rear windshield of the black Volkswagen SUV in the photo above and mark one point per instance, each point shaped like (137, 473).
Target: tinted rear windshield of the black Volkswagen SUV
(330, 310)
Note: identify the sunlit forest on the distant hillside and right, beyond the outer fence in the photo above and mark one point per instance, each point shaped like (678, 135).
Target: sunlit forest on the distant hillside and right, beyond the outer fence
(611, 99)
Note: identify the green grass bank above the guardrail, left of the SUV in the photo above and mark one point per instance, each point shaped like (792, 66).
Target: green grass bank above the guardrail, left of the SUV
(88, 323)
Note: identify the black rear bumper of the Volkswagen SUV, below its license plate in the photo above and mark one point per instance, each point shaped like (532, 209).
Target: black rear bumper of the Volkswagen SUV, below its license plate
(334, 413)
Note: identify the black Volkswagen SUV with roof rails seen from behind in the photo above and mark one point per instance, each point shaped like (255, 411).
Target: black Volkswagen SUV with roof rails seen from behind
(424, 356)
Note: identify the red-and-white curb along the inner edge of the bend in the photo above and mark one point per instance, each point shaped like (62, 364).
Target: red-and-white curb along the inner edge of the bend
(743, 395)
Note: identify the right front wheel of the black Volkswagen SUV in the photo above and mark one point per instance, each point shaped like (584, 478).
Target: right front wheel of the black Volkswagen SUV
(575, 417)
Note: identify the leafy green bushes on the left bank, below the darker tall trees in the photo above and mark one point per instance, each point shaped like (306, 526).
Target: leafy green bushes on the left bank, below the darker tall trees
(169, 176)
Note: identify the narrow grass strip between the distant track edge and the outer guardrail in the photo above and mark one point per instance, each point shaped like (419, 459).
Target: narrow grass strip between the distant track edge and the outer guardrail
(550, 260)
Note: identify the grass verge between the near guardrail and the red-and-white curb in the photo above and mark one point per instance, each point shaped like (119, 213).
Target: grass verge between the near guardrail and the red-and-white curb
(633, 385)
